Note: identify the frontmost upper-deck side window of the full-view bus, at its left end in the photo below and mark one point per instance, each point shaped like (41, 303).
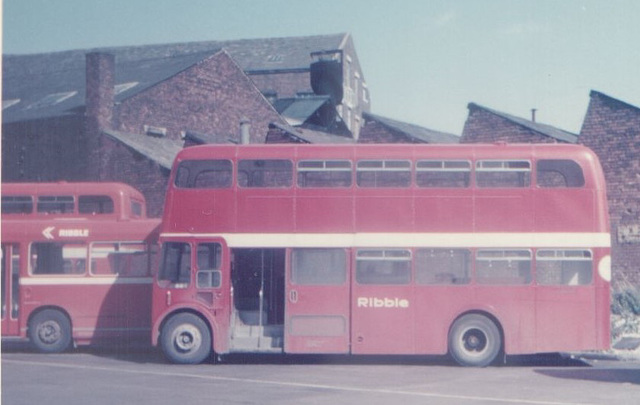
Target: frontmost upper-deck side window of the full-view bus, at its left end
(204, 174)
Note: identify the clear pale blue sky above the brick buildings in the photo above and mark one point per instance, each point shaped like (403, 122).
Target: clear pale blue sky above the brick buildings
(423, 60)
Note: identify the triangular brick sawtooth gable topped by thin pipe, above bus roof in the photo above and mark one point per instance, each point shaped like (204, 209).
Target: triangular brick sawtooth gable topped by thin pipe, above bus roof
(483, 126)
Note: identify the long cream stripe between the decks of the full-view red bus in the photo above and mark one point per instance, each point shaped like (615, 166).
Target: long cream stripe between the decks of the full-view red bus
(408, 240)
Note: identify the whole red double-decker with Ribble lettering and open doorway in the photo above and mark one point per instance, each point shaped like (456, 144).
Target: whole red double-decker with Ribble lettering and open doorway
(474, 250)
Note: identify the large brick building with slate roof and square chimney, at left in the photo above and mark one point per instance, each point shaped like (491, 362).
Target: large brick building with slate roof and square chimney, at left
(121, 113)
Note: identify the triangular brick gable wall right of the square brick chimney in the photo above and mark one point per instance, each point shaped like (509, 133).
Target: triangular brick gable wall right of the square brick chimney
(211, 97)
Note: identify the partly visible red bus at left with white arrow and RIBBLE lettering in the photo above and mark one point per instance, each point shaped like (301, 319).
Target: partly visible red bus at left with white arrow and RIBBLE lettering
(76, 263)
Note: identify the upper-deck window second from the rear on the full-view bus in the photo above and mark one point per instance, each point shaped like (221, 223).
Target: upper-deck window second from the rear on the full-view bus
(503, 173)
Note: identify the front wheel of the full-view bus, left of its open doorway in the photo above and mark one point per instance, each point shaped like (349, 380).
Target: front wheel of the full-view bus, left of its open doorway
(185, 339)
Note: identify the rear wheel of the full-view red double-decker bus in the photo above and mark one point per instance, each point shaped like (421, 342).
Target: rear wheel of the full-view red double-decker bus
(474, 340)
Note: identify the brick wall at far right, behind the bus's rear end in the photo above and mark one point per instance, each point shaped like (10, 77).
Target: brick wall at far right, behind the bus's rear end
(612, 129)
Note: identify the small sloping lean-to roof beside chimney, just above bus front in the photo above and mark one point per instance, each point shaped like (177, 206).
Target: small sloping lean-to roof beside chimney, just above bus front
(160, 150)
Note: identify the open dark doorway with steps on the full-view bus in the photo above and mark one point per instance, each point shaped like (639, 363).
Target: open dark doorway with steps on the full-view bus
(257, 318)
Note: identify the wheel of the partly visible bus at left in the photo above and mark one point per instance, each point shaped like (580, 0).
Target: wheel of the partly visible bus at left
(50, 331)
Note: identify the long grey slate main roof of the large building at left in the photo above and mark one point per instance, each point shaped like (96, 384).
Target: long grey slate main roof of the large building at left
(39, 80)
